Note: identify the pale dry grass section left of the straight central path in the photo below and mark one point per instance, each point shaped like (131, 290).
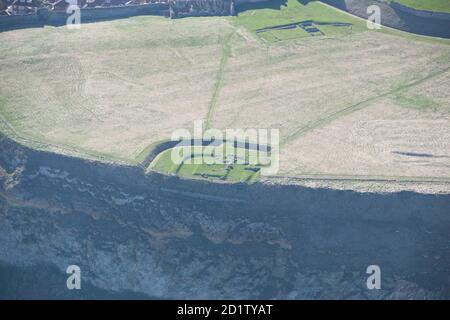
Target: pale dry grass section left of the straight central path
(109, 88)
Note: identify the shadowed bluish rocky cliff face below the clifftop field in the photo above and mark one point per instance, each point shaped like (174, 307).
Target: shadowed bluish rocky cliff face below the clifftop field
(163, 237)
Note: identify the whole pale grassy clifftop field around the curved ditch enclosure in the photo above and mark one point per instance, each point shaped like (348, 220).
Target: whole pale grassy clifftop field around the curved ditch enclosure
(349, 102)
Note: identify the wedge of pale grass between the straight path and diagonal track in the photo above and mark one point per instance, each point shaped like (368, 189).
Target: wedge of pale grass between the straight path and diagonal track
(291, 85)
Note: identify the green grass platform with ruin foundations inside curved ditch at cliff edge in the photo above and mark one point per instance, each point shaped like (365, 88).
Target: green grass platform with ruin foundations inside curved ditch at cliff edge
(233, 165)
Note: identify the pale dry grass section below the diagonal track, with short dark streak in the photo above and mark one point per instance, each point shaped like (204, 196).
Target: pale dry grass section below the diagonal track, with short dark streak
(382, 140)
